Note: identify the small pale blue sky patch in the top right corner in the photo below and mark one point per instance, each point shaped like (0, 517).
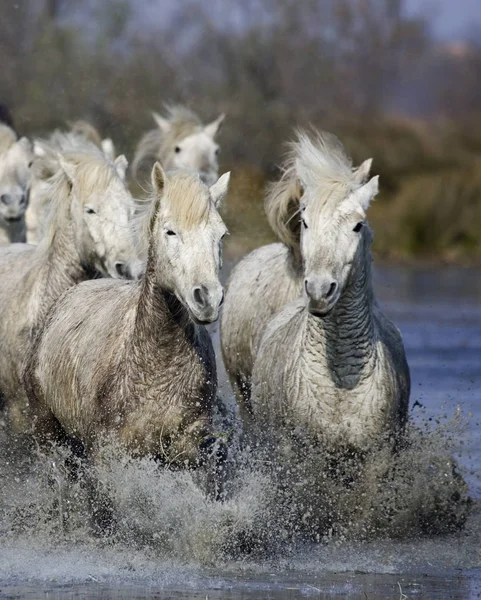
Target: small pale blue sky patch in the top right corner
(450, 19)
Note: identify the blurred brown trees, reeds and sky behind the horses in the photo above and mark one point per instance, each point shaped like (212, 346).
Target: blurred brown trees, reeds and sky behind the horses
(398, 80)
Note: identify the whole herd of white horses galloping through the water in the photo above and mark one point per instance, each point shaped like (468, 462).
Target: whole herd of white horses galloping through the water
(103, 312)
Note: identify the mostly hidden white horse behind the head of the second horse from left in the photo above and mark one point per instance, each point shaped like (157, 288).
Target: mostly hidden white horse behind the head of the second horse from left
(83, 136)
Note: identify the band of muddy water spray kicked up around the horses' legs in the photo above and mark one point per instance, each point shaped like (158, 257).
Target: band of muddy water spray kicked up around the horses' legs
(273, 506)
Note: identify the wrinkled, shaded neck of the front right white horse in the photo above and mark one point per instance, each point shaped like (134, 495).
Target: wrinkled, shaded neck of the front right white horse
(348, 330)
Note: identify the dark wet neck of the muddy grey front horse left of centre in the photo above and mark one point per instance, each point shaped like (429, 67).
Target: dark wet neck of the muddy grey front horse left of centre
(161, 320)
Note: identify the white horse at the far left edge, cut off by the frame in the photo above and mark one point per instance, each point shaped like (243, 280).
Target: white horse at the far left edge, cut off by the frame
(16, 158)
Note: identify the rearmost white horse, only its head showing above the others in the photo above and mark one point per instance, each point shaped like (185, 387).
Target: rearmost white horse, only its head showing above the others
(181, 142)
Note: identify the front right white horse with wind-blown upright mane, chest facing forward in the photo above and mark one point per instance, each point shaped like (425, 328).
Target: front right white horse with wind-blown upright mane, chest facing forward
(330, 366)
